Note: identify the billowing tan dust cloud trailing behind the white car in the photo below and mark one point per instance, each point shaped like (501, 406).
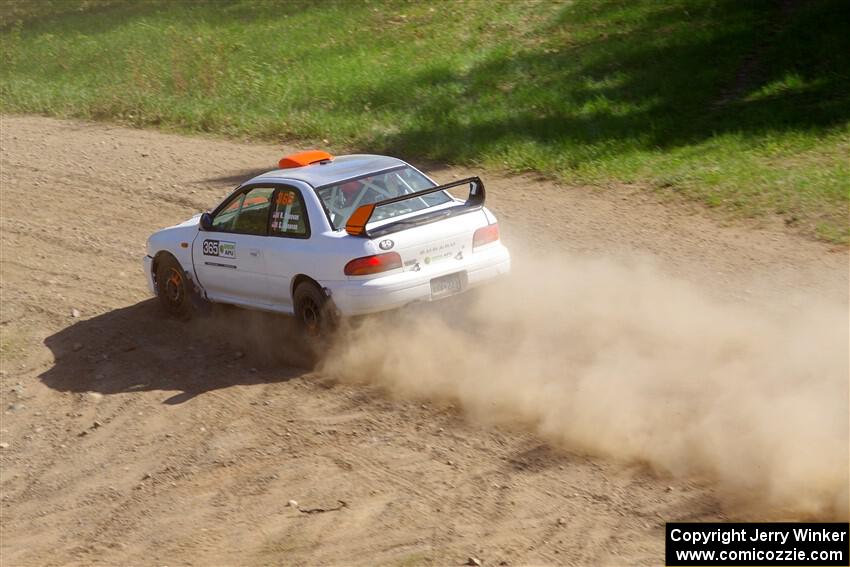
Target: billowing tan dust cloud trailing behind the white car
(626, 362)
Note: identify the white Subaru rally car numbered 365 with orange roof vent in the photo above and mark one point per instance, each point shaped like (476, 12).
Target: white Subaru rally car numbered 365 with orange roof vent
(324, 237)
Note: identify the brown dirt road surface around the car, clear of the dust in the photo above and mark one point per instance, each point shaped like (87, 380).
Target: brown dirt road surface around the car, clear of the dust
(129, 438)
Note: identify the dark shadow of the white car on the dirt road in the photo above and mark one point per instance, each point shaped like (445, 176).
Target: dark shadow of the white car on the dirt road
(138, 349)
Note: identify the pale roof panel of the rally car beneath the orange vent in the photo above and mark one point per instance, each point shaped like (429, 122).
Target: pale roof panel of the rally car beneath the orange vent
(339, 169)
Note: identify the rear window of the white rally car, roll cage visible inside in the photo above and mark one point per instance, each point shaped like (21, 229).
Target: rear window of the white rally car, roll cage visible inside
(343, 199)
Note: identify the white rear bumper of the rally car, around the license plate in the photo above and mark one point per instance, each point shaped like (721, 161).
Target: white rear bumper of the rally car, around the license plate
(361, 297)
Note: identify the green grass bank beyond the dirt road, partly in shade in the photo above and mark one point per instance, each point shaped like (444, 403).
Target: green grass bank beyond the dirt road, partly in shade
(744, 106)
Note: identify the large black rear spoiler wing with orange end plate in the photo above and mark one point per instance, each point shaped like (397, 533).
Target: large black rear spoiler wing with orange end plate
(356, 225)
